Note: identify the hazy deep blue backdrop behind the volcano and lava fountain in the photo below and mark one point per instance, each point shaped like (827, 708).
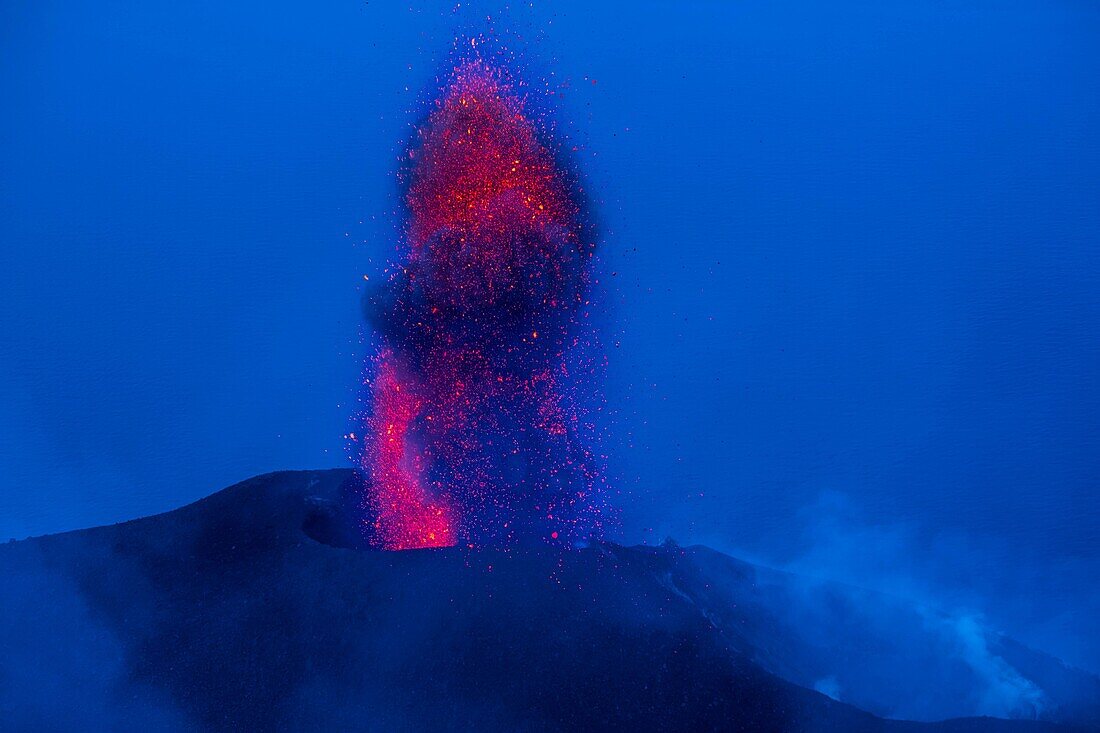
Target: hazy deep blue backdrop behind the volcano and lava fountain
(856, 245)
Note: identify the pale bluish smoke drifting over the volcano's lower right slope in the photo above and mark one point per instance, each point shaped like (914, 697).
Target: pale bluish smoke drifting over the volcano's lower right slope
(919, 627)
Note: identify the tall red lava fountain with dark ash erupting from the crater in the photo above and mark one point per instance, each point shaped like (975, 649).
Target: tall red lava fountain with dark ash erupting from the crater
(480, 422)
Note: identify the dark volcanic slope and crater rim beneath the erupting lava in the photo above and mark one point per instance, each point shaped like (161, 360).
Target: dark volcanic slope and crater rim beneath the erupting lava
(227, 616)
